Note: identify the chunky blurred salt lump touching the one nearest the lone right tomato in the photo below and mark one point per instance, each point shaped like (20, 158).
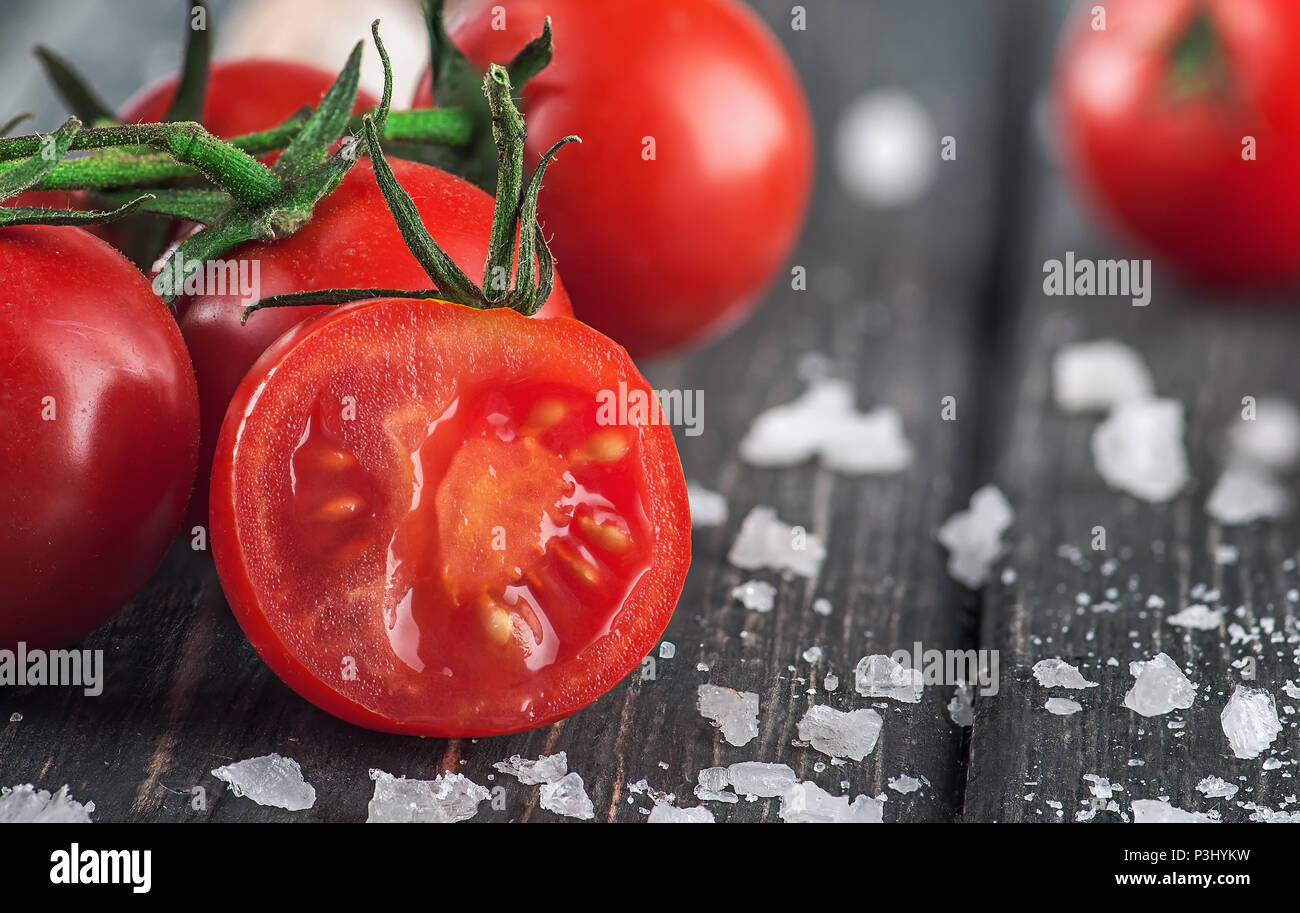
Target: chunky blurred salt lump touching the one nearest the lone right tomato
(1139, 449)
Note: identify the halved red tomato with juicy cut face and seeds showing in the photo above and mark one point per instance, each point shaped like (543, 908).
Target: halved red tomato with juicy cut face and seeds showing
(423, 526)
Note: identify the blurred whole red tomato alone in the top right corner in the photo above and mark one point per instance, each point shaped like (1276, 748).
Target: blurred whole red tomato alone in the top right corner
(1156, 111)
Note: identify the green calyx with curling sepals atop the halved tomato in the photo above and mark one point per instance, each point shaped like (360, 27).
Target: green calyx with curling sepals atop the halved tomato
(523, 289)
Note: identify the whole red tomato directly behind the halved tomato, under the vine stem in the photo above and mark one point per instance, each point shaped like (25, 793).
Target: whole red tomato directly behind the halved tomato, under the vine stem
(350, 243)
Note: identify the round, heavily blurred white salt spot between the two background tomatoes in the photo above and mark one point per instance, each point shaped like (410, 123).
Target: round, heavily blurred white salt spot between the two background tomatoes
(886, 149)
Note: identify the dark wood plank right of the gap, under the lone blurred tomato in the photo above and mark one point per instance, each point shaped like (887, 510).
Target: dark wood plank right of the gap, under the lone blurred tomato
(1207, 354)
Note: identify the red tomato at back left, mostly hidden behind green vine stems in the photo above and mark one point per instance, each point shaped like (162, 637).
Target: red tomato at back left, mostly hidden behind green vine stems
(245, 96)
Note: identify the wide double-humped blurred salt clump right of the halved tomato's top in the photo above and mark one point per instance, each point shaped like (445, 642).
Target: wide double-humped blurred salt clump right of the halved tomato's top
(825, 423)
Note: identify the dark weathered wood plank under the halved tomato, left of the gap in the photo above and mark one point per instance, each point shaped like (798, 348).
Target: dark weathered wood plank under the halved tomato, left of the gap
(894, 300)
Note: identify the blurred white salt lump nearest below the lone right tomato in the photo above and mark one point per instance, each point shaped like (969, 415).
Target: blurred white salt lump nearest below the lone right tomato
(1097, 377)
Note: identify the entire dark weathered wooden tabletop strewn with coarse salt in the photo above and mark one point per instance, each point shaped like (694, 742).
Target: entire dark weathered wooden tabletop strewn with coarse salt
(941, 298)
